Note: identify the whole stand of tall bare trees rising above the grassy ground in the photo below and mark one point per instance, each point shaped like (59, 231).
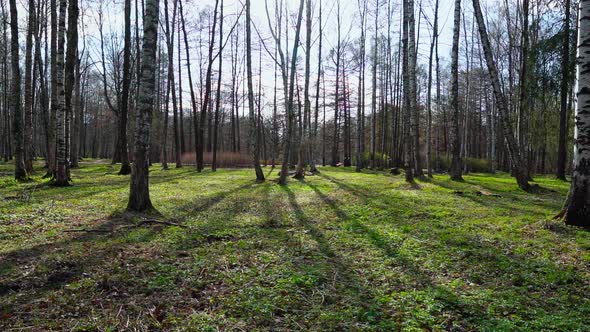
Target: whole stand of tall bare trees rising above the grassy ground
(301, 84)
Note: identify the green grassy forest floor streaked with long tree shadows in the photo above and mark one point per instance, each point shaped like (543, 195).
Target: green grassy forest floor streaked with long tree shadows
(337, 251)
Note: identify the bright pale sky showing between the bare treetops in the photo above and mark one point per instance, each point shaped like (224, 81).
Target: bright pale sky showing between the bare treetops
(350, 27)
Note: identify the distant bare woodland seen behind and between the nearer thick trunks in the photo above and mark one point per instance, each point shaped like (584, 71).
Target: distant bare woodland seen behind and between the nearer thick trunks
(355, 72)
